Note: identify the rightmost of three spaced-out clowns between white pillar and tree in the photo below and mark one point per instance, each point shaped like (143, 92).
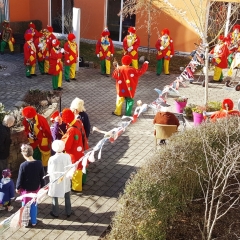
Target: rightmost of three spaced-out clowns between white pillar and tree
(165, 51)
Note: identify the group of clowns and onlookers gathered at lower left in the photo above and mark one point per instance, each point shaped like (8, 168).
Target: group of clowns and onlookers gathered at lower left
(50, 150)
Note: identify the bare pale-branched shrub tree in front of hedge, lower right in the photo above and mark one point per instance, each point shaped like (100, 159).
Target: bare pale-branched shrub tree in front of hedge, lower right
(219, 179)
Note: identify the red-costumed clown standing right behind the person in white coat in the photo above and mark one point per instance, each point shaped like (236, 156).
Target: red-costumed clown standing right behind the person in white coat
(75, 144)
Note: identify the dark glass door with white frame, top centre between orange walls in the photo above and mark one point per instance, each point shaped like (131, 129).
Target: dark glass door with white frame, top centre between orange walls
(116, 24)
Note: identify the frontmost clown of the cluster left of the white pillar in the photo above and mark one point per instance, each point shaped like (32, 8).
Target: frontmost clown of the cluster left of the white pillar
(55, 63)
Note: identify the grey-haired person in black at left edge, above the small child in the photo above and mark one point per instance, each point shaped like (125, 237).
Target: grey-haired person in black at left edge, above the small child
(5, 140)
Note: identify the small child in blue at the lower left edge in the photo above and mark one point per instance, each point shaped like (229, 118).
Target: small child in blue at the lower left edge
(7, 190)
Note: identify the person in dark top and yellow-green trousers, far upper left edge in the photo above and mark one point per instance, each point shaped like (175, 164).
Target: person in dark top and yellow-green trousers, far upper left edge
(7, 37)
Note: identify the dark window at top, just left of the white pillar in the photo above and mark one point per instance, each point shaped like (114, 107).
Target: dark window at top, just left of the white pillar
(61, 16)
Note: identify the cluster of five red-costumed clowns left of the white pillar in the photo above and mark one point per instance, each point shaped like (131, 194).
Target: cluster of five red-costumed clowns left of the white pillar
(44, 48)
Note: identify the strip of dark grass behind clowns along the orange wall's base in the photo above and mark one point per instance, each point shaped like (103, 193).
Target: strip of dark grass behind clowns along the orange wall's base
(87, 51)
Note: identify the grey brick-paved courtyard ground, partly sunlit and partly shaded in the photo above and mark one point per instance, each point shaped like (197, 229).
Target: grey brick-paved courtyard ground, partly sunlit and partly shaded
(97, 203)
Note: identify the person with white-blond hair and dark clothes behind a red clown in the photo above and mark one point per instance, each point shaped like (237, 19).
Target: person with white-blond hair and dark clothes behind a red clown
(77, 107)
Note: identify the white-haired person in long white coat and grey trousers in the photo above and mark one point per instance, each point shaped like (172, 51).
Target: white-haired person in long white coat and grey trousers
(57, 165)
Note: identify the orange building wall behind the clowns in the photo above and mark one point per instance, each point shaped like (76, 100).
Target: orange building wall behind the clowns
(93, 21)
